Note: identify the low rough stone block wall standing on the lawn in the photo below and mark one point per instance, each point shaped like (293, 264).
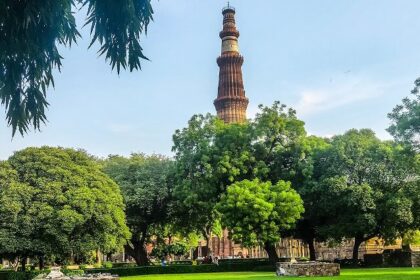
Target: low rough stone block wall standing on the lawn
(308, 269)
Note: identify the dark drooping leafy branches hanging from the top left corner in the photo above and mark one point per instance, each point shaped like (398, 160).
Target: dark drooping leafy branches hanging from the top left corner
(31, 33)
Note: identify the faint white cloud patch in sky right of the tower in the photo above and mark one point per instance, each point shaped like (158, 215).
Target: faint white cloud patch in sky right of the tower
(344, 91)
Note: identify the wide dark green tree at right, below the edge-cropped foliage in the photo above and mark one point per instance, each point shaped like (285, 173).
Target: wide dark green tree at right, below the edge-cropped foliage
(371, 186)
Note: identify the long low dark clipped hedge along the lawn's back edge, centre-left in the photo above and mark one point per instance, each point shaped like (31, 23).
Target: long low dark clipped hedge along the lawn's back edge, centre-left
(181, 269)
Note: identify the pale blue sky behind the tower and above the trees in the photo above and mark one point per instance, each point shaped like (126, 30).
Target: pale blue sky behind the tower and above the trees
(340, 64)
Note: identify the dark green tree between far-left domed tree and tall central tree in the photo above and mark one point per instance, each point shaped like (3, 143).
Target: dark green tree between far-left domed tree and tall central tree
(147, 186)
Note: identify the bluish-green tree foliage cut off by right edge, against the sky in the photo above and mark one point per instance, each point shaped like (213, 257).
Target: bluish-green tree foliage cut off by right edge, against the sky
(405, 126)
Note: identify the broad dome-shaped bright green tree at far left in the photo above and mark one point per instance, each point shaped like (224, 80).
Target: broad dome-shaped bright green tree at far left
(57, 202)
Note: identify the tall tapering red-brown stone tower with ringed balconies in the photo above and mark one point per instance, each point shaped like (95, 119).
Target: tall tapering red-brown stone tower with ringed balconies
(231, 102)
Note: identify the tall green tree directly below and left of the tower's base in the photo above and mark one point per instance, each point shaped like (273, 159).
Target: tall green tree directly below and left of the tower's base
(210, 155)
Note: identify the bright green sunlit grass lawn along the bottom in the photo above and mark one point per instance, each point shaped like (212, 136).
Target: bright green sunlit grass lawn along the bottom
(346, 274)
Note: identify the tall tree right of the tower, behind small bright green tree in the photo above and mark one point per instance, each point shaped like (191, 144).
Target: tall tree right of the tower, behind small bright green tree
(284, 152)
